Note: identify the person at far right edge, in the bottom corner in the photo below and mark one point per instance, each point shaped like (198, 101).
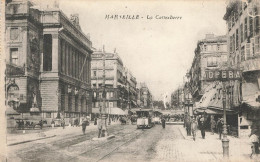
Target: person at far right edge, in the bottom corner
(254, 138)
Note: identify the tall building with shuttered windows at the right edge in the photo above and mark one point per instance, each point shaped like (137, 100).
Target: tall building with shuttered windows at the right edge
(243, 34)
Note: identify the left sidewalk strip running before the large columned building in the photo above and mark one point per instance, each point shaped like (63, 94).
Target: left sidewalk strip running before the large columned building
(14, 139)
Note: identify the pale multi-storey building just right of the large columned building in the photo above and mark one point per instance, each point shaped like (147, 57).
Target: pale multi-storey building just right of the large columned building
(115, 80)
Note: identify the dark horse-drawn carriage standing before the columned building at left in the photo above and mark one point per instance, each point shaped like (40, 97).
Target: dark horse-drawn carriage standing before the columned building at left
(29, 124)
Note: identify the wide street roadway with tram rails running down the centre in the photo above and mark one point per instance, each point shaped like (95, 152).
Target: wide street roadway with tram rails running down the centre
(134, 144)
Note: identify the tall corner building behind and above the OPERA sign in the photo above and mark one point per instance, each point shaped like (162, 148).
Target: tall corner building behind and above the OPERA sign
(210, 54)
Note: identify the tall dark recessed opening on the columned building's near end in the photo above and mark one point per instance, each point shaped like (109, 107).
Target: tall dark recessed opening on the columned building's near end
(47, 52)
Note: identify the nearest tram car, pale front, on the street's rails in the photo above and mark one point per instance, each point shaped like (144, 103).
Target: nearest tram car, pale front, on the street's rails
(144, 119)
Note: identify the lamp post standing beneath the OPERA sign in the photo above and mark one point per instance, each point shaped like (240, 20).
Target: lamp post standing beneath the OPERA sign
(225, 141)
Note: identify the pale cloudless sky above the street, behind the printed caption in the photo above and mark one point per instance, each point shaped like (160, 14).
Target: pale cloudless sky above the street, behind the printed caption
(157, 52)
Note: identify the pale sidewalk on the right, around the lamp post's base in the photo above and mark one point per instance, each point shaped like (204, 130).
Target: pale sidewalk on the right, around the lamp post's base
(210, 148)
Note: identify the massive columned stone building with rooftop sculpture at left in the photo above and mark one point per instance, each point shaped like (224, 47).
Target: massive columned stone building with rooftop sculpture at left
(47, 62)
